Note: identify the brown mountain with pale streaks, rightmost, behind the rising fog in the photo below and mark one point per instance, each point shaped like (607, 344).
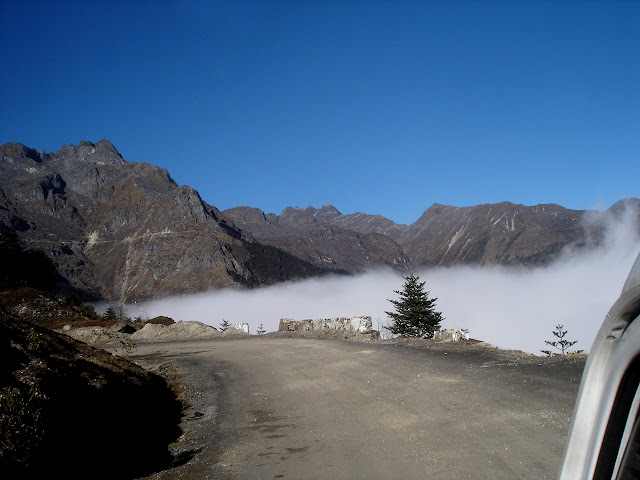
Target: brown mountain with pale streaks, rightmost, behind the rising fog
(502, 233)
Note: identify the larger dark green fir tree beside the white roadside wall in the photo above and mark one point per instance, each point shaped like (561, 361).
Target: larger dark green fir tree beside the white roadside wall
(415, 314)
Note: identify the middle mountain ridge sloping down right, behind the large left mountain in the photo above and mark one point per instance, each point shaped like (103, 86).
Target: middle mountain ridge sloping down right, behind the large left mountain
(309, 235)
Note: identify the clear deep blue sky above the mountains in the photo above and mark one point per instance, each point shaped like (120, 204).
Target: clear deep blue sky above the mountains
(384, 107)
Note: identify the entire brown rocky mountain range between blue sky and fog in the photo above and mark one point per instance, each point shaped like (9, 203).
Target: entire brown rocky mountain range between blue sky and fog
(121, 231)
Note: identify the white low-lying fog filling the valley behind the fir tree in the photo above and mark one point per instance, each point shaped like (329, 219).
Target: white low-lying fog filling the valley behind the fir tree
(513, 309)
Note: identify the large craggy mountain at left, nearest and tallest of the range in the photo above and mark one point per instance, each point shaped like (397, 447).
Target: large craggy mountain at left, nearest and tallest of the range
(122, 231)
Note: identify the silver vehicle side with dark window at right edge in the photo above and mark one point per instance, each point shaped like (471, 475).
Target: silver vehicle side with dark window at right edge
(604, 436)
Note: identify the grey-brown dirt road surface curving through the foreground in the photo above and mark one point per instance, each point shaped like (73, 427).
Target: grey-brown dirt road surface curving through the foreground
(298, 408)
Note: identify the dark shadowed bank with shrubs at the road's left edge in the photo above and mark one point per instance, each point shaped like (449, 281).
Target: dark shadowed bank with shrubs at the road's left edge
(74, 411)
